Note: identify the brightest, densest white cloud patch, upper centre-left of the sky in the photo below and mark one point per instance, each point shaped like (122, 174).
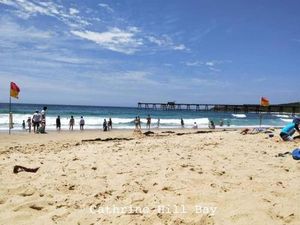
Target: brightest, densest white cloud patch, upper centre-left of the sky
(115, 39)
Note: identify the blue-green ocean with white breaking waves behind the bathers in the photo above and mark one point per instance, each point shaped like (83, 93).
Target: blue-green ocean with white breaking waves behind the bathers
(123, 117)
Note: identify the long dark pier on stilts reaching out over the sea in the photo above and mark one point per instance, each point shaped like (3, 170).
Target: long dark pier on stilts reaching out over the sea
(245, 108)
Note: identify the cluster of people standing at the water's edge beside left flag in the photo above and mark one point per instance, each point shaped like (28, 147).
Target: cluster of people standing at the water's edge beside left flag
(38, 122)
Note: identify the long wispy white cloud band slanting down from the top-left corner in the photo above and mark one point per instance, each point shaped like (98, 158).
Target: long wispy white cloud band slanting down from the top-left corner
(123, 40)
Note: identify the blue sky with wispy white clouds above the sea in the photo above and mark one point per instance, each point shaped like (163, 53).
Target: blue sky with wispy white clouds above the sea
(120, 52)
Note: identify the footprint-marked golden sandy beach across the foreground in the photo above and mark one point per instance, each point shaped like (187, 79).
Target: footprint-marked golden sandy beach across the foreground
(122, 177)
